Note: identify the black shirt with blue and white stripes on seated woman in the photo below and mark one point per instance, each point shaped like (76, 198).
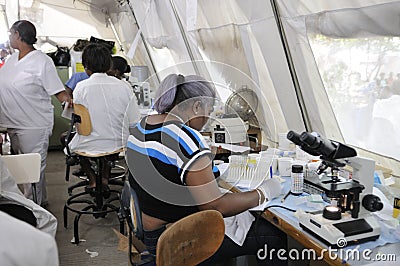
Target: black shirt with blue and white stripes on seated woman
(159, 157)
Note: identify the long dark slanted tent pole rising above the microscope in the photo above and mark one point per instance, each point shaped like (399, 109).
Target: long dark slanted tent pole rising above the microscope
(289, 58)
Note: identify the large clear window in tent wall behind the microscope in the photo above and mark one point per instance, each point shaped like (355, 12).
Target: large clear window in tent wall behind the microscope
(361, 77)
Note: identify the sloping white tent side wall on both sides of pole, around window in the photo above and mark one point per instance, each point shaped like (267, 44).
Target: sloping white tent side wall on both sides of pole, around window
(243, 37)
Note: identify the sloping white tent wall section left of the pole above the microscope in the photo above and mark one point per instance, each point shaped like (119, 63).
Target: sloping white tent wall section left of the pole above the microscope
(228, 48)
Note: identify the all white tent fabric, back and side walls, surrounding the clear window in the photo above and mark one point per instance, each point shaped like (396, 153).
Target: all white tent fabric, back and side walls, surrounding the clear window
(233, 42)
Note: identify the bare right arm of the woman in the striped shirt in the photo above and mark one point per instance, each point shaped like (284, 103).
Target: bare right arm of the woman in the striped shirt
(205, 191)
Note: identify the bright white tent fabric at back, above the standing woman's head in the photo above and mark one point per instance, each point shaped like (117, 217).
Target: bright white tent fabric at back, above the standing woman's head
(66, 18)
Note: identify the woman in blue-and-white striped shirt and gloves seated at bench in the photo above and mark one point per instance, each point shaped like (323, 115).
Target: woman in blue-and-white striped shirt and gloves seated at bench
(172, 172)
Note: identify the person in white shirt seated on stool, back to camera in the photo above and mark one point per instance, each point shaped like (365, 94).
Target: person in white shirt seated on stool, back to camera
(107, 100)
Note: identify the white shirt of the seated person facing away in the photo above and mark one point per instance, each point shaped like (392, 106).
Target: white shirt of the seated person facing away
(107, 99)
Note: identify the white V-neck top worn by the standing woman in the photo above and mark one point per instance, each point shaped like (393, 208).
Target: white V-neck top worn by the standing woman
(25, 89)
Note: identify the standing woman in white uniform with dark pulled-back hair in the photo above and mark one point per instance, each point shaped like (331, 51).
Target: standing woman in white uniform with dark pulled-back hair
(27, 82)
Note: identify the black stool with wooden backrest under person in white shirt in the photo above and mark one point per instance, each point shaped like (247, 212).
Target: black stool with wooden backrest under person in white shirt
(92, 203)
